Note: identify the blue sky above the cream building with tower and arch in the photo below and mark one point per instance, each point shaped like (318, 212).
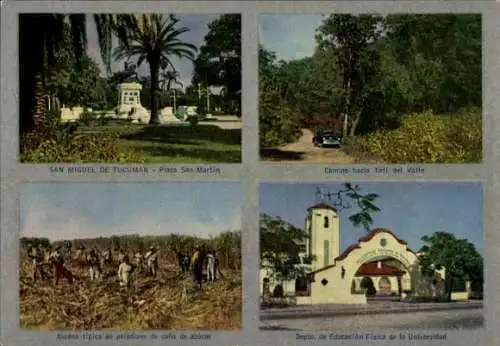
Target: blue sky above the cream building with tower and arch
(409, 209)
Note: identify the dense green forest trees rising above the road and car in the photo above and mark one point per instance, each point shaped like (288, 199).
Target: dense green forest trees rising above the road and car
(369, 72)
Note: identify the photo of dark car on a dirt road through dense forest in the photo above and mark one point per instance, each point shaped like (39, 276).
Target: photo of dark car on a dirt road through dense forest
(370, 89)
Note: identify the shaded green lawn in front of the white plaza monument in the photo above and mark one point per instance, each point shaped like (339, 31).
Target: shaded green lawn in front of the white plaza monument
(176, 143)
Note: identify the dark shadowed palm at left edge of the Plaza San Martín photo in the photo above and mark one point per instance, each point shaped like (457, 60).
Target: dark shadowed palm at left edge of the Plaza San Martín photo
(40, 36)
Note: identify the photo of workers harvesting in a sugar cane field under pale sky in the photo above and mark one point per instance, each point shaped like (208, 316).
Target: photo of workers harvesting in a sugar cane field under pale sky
(130, 256)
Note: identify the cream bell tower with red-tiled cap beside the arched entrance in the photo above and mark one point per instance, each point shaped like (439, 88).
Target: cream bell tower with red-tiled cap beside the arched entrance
(323, 226)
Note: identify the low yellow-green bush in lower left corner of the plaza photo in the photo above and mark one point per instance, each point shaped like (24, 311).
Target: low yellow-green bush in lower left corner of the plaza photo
(83, 148)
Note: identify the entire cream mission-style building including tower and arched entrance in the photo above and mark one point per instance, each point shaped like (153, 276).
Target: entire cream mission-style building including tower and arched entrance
(379, 264)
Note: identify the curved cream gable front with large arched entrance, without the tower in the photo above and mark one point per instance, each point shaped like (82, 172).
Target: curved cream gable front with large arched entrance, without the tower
(379, 248)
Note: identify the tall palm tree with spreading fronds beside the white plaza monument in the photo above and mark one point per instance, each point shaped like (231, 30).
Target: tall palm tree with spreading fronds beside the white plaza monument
(154, 38)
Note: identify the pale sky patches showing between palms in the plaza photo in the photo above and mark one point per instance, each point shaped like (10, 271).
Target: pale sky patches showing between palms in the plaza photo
(198, 25)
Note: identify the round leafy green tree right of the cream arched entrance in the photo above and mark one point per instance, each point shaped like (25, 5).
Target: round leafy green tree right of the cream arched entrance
(459, 257)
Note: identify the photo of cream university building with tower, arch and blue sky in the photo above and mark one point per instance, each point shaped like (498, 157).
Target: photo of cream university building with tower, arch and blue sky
(358, 256)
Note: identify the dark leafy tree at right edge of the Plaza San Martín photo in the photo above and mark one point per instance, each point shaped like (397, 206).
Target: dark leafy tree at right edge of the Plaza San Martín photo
(219, 61)
